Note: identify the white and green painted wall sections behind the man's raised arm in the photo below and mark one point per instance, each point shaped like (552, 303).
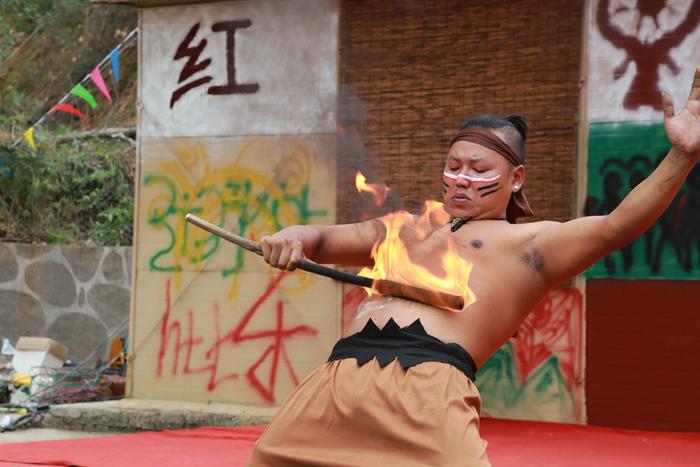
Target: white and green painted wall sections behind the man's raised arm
(636, 50)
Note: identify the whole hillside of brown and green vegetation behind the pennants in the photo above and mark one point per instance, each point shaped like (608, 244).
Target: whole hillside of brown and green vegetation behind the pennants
(66, 191)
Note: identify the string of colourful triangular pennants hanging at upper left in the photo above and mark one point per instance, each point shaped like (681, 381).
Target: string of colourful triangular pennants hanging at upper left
(81, 90)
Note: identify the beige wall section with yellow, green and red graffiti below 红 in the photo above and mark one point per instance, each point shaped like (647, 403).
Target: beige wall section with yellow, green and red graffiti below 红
(230, 327)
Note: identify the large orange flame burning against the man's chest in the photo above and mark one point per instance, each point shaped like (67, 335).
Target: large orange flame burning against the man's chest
(392, 255)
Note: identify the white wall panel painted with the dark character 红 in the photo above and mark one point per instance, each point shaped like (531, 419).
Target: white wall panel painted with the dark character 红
(263, 67)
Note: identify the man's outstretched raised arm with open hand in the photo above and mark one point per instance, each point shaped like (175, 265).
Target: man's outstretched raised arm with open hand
(569, 248)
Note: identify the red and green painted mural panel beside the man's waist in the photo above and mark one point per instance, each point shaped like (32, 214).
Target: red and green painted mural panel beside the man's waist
(538, 374)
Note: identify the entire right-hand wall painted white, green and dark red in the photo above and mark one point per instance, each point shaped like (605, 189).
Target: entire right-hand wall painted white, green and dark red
(637, 49)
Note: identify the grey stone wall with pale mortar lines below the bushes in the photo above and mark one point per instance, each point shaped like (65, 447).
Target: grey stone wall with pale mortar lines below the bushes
(77, 295)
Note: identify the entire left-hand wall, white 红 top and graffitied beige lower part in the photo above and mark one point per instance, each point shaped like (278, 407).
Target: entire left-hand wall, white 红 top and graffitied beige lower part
(238, 127)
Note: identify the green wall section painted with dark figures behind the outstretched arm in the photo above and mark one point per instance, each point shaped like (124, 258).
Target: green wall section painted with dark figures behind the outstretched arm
(620, 155)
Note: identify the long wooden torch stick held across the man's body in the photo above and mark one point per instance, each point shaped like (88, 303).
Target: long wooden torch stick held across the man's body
(383, 286)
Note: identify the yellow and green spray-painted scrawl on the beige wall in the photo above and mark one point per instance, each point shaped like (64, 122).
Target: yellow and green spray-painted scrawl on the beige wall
(238, 196)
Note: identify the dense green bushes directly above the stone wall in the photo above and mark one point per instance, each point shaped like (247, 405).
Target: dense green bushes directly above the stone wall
(71, 192)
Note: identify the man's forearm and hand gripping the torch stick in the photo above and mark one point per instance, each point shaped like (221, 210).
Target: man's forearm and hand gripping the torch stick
(334, 244)
